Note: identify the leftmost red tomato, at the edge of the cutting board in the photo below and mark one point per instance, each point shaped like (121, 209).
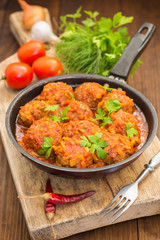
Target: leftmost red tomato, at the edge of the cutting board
(18, 75)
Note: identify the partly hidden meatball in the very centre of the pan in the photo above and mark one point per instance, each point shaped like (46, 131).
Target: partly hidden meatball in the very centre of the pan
(77, 129)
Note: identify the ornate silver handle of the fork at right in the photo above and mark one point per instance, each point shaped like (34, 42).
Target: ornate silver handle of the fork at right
(154, 162)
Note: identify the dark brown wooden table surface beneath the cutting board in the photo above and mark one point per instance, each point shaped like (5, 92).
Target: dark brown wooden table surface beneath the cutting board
(146, 80)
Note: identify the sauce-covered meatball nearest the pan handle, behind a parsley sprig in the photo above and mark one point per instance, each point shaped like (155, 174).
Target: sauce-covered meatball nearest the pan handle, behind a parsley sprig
(126, 103)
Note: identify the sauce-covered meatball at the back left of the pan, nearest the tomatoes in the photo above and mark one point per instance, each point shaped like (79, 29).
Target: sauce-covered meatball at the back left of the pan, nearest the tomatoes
(57, 93)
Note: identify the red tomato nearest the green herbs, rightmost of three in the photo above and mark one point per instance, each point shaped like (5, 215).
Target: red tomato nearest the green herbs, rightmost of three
(45, 67)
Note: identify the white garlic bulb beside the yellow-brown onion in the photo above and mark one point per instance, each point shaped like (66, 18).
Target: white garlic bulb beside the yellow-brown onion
(42, 31)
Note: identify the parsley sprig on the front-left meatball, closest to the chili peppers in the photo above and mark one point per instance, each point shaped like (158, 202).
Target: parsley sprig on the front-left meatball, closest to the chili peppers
(46, 147)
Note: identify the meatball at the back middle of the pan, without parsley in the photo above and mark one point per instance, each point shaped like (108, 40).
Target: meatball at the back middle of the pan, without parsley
(90, 93)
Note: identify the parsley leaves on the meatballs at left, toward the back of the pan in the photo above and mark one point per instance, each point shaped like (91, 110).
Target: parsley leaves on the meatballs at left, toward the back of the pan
(61, 116)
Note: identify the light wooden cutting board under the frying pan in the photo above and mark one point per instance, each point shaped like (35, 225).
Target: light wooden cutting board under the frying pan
(82, 216)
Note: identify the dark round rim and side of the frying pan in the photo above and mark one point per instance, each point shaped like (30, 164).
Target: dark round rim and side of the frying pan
(76, 170)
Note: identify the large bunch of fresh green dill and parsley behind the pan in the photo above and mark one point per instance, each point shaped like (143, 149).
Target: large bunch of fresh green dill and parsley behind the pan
(94, 46)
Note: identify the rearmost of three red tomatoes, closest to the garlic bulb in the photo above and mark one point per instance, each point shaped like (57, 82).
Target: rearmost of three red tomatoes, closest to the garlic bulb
(30, 51)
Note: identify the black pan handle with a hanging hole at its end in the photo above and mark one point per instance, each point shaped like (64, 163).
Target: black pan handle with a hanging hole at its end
(133, 50)
